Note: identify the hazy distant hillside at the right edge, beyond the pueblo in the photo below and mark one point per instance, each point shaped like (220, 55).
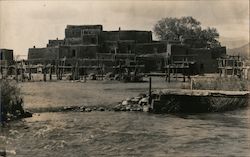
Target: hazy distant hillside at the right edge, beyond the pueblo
(242, 51)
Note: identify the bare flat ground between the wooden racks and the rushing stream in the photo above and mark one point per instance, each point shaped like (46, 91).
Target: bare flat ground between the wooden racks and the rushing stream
(68, 93)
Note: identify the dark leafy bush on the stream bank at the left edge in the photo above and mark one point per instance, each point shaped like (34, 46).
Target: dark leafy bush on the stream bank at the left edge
(11, 101)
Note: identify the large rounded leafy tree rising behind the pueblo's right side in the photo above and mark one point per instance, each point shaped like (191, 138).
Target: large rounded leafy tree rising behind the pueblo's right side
(173, 28)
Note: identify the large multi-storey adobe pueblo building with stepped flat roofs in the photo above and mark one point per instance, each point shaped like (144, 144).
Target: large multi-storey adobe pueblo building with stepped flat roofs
(92, 47)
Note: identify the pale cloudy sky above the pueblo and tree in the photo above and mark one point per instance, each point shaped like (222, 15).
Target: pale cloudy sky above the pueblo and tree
(27, 23)
